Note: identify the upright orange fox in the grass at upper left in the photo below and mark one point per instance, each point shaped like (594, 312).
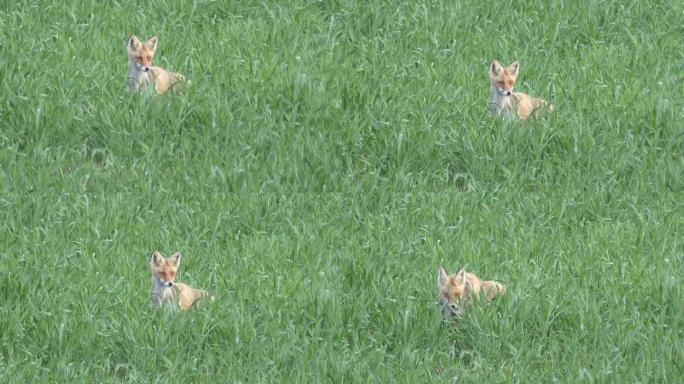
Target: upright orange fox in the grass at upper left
(142, 75)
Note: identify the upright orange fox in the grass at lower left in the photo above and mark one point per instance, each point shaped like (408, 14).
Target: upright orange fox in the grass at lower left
(164, 290)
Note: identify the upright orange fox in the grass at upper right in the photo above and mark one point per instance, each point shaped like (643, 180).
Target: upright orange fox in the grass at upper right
(504, 102)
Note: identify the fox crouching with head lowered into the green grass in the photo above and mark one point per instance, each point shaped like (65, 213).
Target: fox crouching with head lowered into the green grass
(462, 289)
